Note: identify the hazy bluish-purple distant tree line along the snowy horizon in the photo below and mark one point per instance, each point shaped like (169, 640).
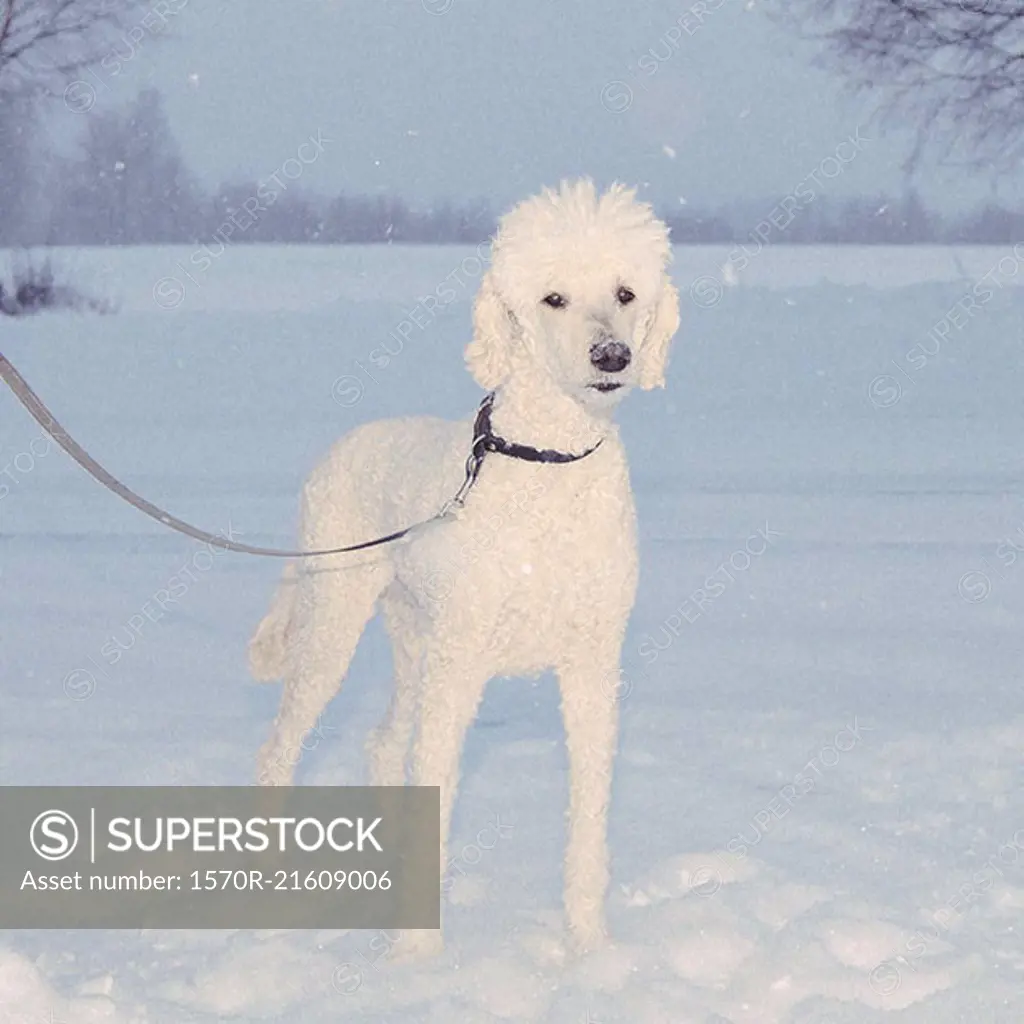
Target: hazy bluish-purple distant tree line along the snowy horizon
(127, 184)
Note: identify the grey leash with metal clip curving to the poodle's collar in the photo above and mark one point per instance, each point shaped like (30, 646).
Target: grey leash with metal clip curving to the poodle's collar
(49, 422)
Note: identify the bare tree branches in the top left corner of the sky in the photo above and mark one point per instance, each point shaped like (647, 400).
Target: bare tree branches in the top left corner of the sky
(44, 44)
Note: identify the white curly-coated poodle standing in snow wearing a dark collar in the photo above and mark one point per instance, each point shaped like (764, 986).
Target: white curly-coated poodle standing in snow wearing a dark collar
(537, 570)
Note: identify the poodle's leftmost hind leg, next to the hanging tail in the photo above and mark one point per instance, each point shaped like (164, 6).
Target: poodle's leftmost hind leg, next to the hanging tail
(331, 611)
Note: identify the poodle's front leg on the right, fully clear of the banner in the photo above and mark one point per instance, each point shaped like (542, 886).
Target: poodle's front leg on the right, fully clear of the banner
(590, 711)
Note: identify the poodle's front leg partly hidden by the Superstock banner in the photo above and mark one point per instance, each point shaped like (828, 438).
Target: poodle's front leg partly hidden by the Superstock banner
(450, 697)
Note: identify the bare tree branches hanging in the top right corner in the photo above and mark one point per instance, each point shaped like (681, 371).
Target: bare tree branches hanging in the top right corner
(955, 68)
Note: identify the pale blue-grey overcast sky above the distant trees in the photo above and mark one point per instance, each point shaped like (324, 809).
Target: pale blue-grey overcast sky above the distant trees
(461, 99)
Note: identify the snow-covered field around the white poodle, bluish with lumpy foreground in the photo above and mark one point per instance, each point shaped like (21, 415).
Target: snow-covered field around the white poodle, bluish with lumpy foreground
(819, 812)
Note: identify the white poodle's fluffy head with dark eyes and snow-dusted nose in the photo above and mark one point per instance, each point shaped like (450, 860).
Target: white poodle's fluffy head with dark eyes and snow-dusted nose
(578, 290)
